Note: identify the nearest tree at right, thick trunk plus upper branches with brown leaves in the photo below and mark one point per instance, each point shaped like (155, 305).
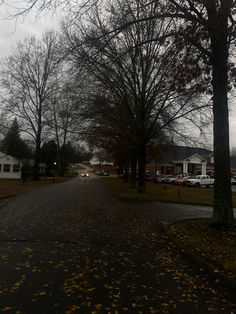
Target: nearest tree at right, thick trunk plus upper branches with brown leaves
(213, 23)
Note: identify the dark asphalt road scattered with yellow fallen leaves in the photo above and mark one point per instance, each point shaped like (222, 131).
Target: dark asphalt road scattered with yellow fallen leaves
(73, 248)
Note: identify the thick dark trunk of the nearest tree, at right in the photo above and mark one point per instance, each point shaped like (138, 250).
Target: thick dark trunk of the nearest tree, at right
(222, 208)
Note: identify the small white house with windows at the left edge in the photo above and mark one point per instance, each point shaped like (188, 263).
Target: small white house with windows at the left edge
(10, 167)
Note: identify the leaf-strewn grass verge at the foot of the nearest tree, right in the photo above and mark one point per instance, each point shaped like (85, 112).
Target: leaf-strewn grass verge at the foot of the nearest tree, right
(218, 248)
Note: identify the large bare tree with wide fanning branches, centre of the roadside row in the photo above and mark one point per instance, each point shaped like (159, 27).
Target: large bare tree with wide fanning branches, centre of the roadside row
(140, 74)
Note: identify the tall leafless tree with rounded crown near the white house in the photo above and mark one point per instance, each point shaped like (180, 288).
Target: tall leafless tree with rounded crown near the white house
(29, 81)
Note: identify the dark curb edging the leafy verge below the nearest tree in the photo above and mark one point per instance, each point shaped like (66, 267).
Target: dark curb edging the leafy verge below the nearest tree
(199, 261)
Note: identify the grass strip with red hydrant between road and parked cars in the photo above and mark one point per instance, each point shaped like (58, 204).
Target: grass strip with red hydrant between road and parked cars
(163, 193)
